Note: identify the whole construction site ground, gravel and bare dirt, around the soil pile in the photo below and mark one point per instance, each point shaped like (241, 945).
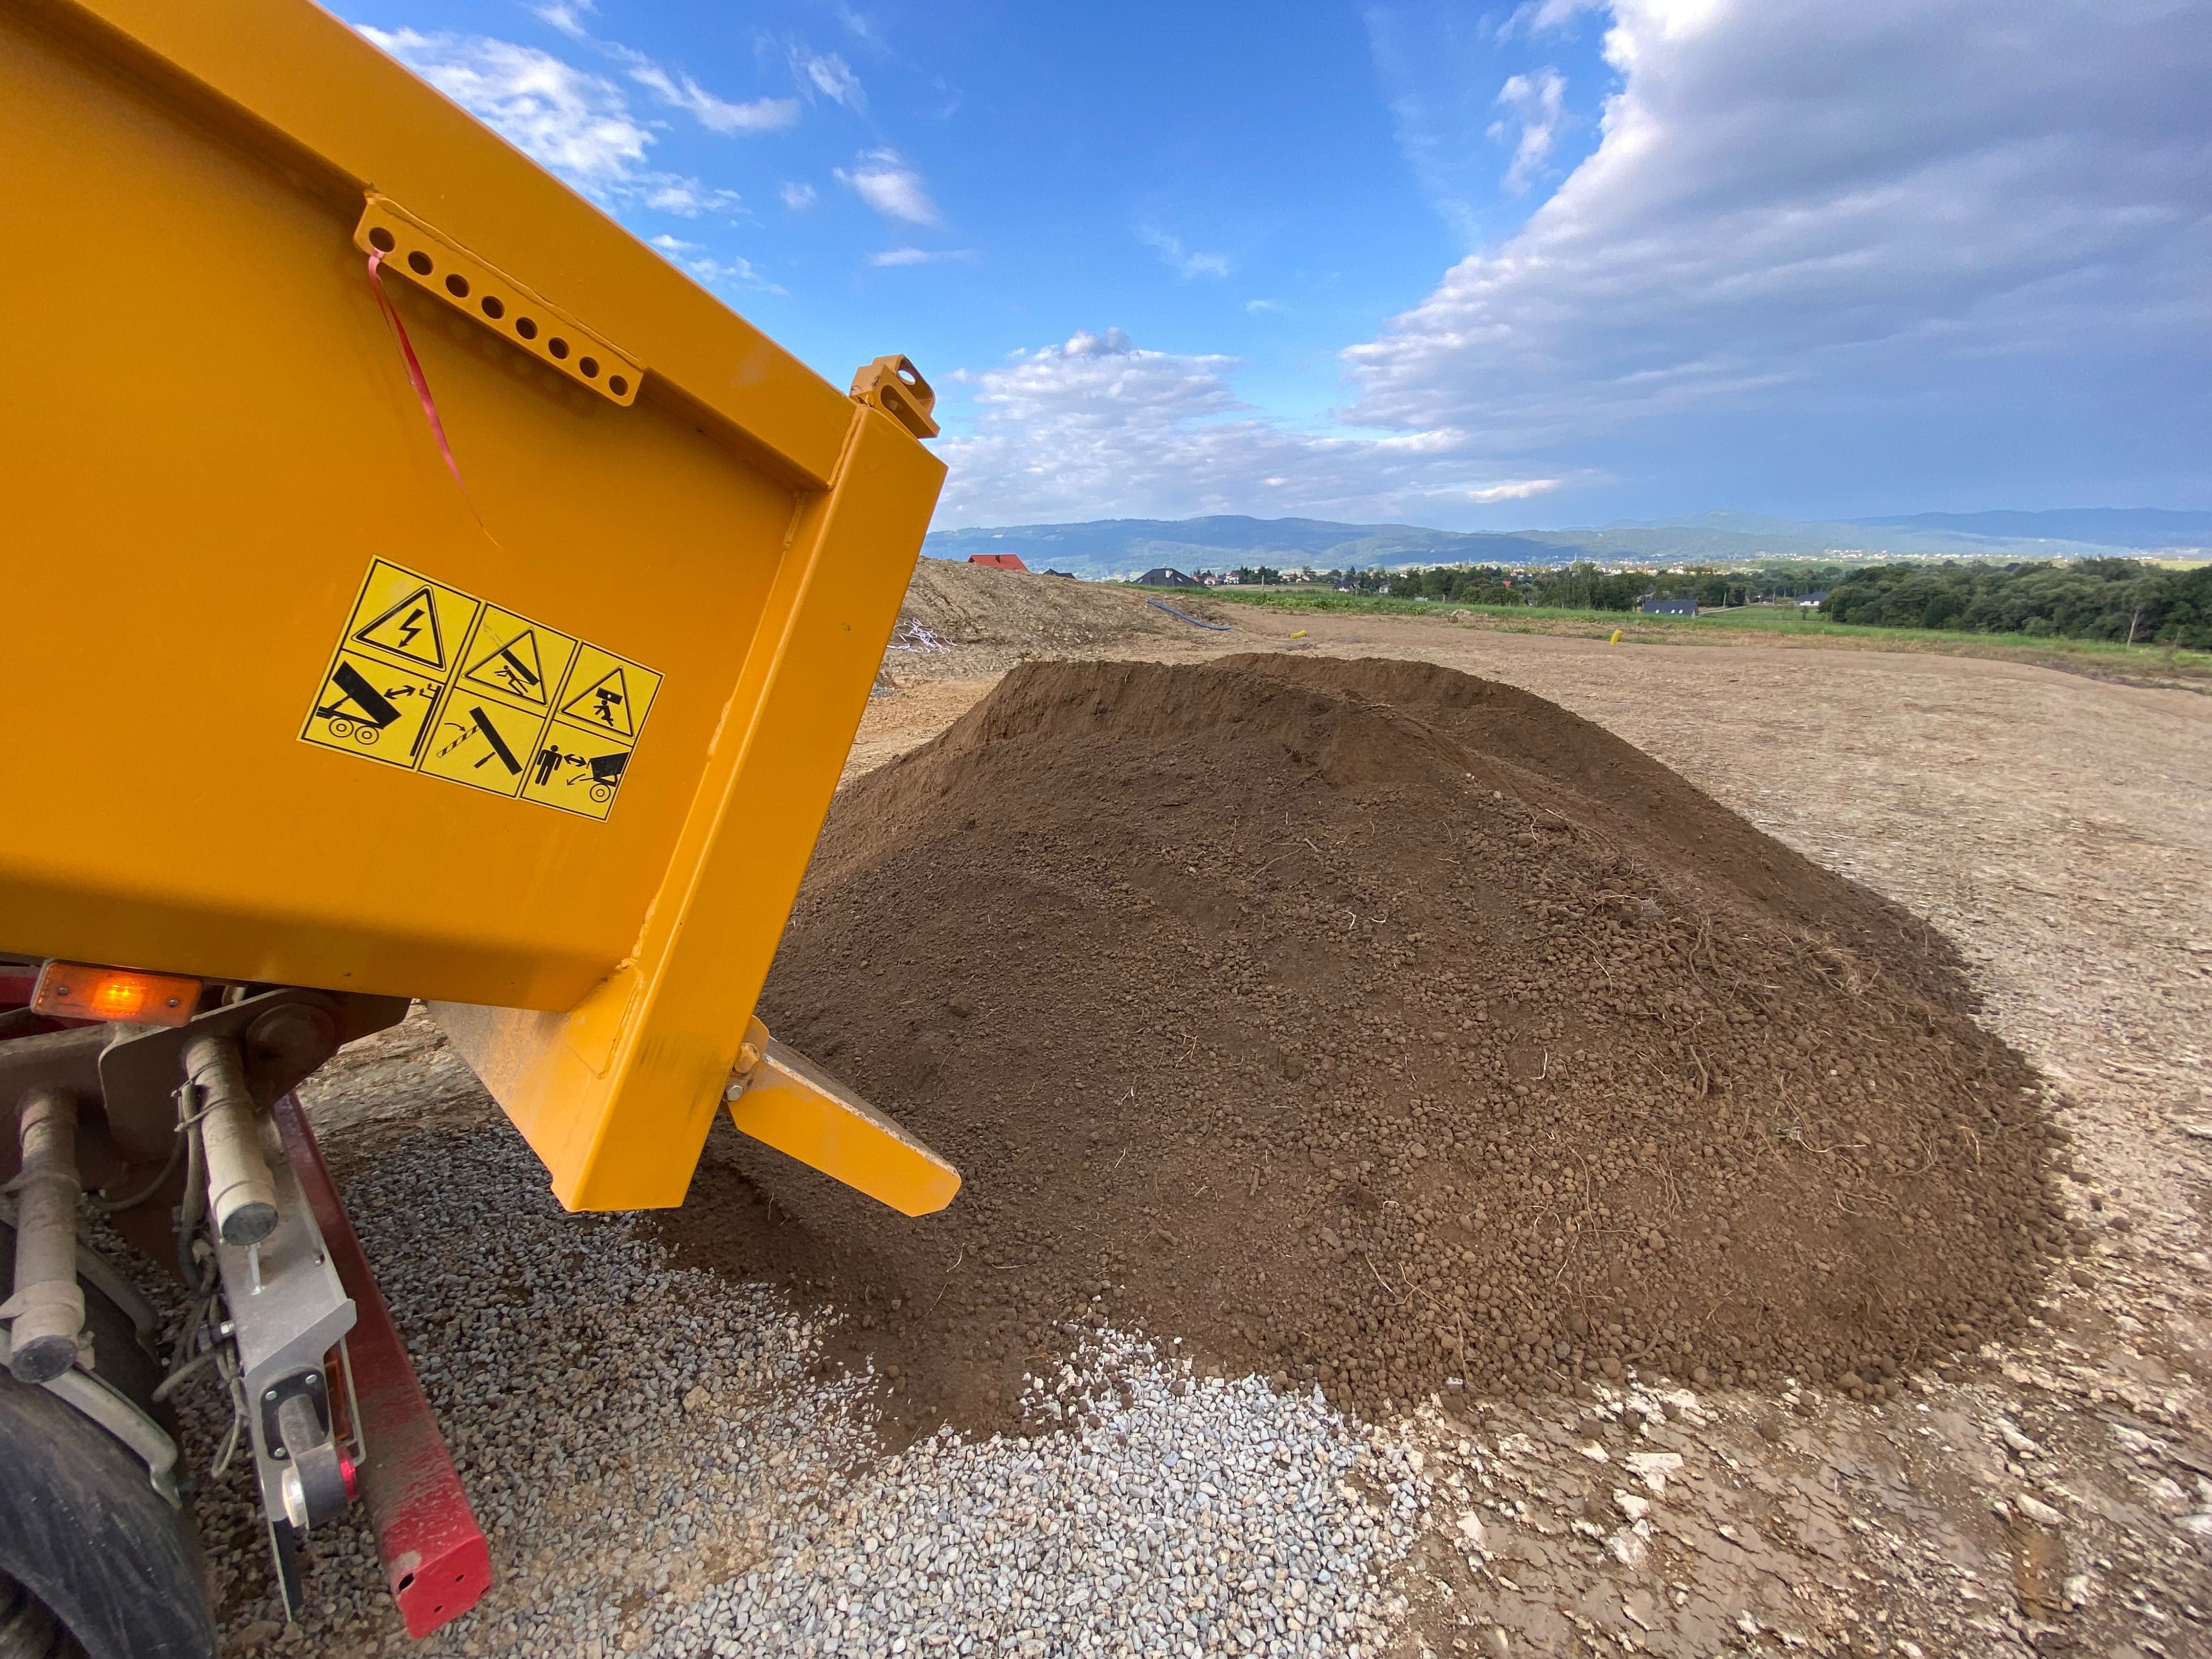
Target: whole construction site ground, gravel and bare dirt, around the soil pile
(676, 1463)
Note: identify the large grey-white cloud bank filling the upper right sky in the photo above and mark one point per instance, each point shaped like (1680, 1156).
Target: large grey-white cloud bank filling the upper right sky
(1835, 211)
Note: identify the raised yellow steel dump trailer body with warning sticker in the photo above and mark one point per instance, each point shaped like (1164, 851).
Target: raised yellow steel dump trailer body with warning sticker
(291, 705)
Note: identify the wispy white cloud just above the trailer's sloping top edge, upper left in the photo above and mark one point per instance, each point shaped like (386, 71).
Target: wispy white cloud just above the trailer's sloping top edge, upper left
(574, 123)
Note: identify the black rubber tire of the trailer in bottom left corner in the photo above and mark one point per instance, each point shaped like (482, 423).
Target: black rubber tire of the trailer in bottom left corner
(83, 1532)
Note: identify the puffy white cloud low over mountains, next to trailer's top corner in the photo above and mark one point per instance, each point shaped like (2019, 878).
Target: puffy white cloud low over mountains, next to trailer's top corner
(1100, 426)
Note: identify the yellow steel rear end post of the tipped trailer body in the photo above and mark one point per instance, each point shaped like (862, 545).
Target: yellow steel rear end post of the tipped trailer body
(618, 1096)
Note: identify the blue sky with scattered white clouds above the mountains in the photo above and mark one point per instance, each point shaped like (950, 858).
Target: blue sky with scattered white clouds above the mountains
(1472, 267)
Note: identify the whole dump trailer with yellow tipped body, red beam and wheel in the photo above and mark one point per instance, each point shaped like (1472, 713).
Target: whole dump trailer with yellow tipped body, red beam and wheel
(417, 592)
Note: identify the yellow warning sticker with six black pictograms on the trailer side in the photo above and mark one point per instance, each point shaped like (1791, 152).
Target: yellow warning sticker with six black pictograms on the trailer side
(432, 680)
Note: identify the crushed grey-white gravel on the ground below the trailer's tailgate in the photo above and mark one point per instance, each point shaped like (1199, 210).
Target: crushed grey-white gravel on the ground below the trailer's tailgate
(662, 1474)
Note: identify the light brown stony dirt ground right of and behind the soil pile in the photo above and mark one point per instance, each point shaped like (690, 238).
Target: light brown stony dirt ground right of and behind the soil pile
(2060, 833)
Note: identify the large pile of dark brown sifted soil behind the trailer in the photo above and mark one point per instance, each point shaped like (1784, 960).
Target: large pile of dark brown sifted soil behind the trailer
(1375, 1025)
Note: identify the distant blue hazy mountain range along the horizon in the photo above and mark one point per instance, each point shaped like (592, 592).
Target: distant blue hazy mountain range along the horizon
(1131, 545)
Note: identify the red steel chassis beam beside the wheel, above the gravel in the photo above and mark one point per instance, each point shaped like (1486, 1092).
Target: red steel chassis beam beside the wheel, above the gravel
(435, 1554)
